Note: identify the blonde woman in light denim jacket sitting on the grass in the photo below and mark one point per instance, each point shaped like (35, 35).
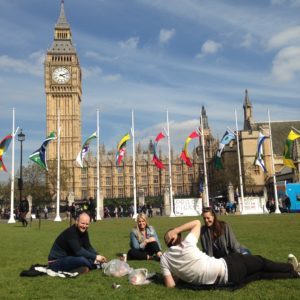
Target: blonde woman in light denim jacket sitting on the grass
(144, 242)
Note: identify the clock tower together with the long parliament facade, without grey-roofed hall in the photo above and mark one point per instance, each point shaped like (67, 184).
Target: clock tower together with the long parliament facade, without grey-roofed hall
(63, 102)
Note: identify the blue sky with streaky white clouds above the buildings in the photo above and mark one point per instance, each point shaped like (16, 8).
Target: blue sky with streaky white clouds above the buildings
(151, 56)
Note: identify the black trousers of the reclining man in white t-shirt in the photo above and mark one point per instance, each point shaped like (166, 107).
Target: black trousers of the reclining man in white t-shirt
(246, 268)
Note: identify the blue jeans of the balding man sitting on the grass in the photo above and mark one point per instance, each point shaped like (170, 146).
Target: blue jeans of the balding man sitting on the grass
(70, 263)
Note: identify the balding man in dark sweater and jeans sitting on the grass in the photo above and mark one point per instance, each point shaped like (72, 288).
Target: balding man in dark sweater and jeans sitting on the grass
(72, 251)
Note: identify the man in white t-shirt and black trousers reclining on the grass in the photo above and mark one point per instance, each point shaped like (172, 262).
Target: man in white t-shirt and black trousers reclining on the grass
(183, 260)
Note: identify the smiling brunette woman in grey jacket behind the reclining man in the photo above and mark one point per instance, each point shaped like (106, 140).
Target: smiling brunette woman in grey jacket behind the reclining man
(217, 237)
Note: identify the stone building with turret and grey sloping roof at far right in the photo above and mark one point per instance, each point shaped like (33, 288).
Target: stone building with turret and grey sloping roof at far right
(254, 179)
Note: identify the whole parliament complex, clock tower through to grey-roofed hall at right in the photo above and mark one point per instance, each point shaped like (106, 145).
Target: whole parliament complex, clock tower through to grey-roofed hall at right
(63, 81)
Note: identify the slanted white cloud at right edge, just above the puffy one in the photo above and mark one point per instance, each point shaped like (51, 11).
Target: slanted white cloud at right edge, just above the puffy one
(288, 37)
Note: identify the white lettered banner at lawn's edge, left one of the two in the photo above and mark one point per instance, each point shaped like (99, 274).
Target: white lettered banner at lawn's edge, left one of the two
(188, 207)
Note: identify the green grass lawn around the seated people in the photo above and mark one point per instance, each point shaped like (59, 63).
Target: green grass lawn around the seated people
(272, 236)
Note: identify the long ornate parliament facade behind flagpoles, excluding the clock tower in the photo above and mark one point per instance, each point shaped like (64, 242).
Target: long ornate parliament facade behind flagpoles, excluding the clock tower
(151, 182)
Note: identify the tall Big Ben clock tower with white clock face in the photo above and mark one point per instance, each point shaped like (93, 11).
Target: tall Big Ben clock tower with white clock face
(63, 99)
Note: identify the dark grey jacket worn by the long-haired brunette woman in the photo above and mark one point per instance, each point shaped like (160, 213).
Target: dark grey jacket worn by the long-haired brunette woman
(223, 245)
